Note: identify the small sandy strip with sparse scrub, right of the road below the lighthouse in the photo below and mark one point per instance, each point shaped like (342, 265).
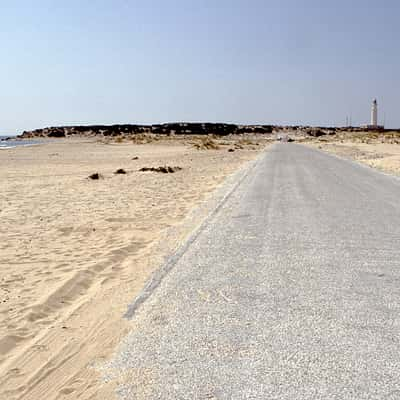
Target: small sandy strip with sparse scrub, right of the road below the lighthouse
(383, 156)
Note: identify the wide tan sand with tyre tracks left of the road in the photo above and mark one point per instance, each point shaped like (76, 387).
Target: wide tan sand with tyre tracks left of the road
(74, 252)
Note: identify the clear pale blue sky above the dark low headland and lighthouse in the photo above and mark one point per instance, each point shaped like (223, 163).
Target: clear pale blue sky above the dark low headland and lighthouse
(254, 61)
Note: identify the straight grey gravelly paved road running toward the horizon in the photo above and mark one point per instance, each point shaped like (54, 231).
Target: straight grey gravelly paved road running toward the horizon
(292, 291)
